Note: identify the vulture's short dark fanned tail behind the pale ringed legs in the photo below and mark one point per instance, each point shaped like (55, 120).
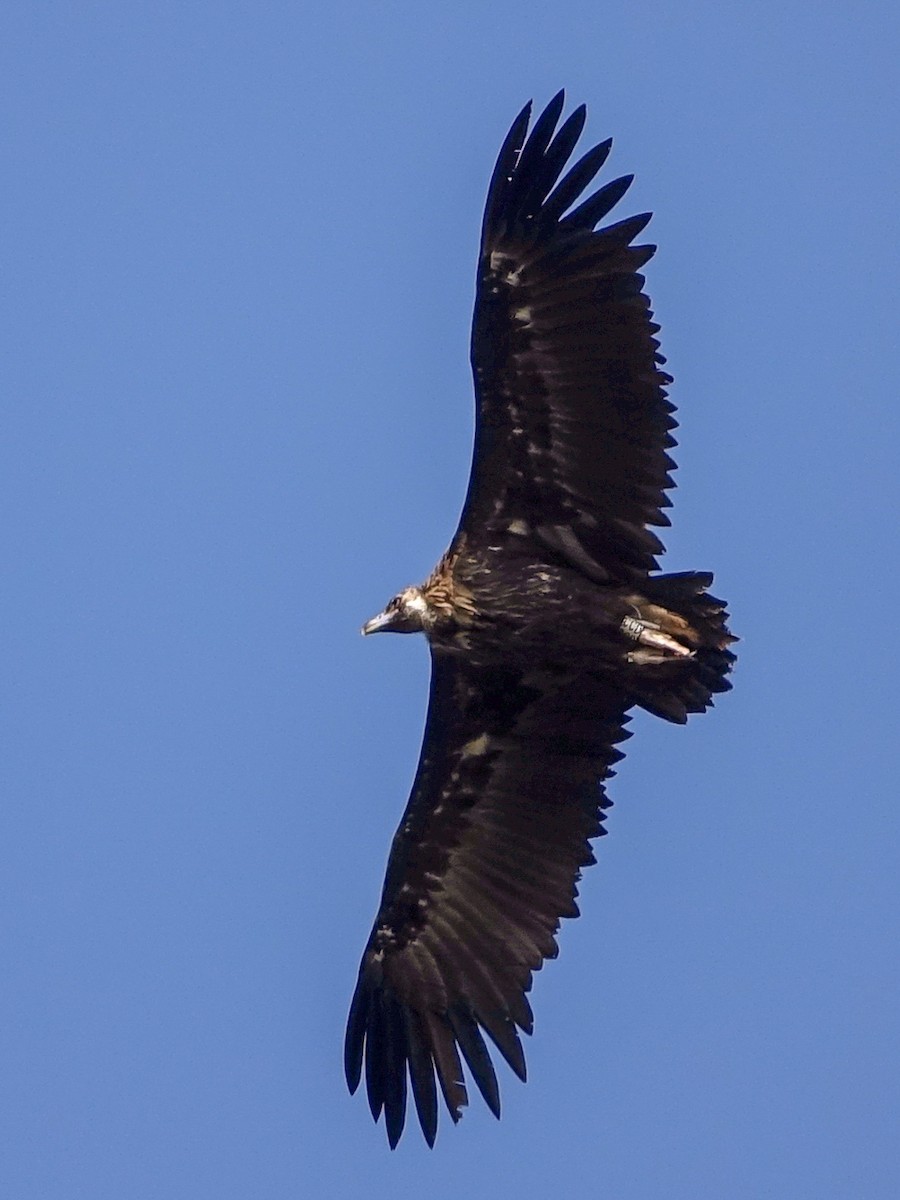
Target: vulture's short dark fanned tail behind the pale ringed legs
(682, 608)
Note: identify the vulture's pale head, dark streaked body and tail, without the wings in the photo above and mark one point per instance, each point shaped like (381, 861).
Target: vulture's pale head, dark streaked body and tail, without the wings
(501, 608)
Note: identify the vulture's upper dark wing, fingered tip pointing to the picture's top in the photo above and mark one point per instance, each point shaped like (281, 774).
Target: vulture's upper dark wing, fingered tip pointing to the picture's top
(573, 418)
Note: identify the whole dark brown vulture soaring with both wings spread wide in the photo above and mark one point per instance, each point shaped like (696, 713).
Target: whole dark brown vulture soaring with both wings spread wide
(548, 620)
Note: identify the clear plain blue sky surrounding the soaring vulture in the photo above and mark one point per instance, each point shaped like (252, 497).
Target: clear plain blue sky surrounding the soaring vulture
(237, 417)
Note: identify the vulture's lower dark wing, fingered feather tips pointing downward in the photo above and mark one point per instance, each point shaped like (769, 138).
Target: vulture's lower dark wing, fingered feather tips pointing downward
(485, 863)
